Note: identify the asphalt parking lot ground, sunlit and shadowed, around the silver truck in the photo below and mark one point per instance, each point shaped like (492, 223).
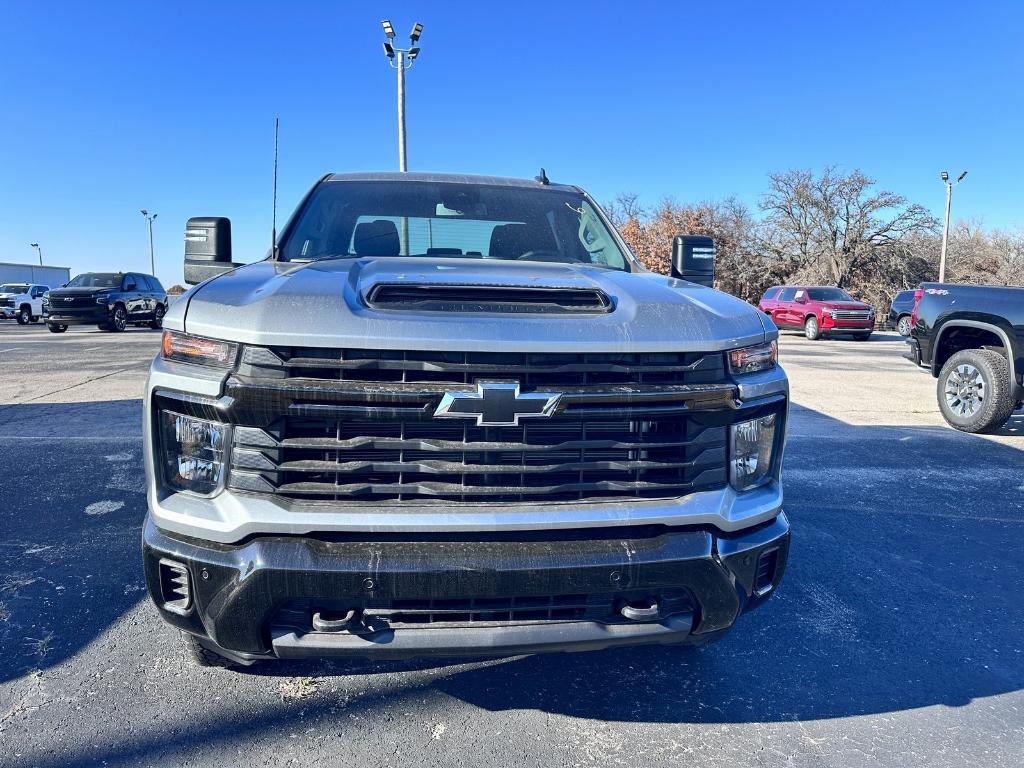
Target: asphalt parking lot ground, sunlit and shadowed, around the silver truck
(895, 639)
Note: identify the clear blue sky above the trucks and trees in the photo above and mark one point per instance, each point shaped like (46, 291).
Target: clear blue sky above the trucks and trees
(109, 108)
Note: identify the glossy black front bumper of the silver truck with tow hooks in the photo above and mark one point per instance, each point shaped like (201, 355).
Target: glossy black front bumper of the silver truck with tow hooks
(238, 593)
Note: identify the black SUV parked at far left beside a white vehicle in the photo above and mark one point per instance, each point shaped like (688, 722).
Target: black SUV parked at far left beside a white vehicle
(111, 301)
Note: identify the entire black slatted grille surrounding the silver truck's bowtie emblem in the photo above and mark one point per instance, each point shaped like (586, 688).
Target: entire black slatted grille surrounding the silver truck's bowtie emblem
(358, 428)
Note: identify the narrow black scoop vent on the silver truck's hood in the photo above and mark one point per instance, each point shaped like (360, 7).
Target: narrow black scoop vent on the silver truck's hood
(446, 297)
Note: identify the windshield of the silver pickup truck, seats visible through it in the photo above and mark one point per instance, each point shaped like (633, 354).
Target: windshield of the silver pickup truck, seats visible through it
(349, 220)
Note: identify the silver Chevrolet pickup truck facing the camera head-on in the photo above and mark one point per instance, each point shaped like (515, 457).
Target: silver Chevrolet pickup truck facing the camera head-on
(453, 415)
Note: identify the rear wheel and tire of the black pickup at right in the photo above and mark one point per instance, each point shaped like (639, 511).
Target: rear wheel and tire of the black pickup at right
(975, 393)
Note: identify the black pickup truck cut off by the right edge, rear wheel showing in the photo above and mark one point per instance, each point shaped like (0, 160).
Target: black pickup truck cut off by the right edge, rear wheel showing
(972, 339)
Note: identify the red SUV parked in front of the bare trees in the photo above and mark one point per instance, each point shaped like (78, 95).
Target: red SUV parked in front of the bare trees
(819, 311)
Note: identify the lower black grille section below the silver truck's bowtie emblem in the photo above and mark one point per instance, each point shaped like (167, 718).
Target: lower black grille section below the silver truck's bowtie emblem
(357, 460)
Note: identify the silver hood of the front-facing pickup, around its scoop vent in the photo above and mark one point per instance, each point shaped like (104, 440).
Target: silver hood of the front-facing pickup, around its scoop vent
(324, 305)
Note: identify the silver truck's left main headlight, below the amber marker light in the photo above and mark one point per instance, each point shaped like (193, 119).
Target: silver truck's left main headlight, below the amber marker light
(193, 452)
